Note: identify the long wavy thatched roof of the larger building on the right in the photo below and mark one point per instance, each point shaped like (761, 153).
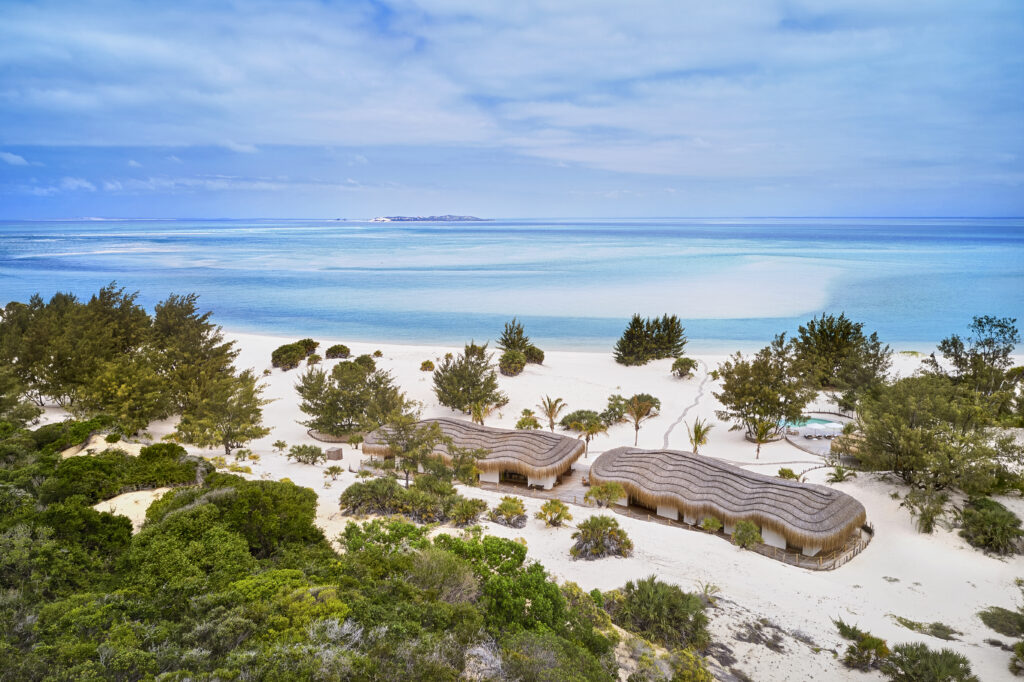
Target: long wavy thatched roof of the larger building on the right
(806, 516)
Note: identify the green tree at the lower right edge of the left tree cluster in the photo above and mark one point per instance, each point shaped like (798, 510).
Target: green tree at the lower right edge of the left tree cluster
(228, 412)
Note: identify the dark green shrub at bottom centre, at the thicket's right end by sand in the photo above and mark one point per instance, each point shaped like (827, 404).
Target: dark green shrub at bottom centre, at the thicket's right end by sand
(664, 614)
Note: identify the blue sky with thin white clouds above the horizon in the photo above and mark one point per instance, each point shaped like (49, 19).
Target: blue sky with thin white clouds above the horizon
(358, 109)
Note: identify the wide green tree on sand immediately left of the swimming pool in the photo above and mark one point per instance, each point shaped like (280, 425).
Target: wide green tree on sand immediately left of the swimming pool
(767, 388)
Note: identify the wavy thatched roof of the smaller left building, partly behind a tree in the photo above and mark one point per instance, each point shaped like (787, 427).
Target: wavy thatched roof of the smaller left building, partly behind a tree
(530, 453)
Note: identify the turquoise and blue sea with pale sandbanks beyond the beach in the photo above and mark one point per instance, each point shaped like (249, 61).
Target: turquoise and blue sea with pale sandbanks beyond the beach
(575, 283)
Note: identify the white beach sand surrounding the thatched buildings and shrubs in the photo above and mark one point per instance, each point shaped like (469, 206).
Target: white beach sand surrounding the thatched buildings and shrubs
(902, 572)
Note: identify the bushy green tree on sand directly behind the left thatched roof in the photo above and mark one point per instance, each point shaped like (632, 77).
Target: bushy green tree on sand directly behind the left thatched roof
(467, 380)
